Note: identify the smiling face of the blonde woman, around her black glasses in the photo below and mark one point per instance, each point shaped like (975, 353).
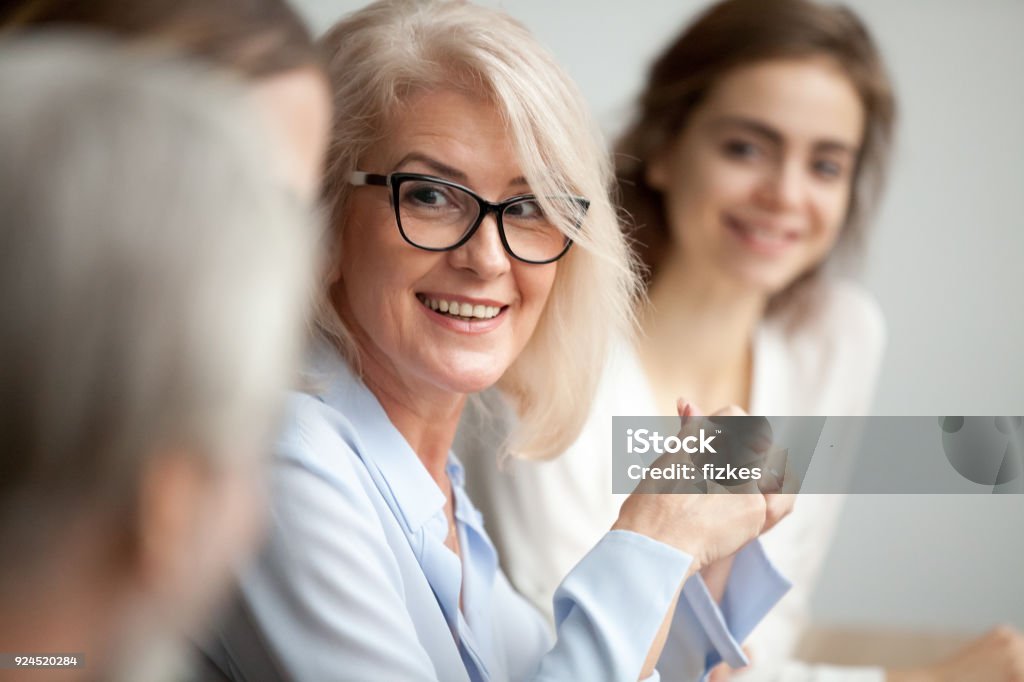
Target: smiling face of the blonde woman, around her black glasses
(388, 291)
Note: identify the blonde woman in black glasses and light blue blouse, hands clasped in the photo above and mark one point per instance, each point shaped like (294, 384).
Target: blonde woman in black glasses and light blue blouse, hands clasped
(476, 245)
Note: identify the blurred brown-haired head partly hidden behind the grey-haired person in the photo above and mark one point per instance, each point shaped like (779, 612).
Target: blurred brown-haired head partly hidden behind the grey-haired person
(263, 41)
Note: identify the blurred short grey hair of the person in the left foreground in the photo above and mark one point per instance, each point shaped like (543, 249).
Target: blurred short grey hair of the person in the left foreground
(156, 274)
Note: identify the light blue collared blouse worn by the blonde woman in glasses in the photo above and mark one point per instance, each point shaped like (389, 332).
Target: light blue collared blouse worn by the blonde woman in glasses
(356, 582)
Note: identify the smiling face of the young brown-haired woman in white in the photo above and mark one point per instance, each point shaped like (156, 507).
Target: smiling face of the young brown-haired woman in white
(757, 185)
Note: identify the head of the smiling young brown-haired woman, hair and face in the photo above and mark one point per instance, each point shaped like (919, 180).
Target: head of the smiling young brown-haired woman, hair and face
(761, 142)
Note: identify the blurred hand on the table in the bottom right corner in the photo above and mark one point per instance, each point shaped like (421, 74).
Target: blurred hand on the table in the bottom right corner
(997, 657)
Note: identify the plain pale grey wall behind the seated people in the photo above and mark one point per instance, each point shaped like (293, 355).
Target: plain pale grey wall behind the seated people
(947, 263)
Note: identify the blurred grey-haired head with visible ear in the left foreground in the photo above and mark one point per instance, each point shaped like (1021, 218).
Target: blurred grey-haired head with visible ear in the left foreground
(156, 271)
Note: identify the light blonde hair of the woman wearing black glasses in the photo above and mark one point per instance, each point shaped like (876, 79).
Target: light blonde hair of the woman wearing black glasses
(382, 55)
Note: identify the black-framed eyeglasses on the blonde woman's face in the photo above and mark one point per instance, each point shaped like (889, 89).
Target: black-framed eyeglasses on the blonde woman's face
(440, 216)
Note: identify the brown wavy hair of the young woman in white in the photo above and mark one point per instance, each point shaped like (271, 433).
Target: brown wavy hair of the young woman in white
(734, 34)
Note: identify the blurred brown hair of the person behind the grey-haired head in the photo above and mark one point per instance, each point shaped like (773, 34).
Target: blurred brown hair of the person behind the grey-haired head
(253, 38)
